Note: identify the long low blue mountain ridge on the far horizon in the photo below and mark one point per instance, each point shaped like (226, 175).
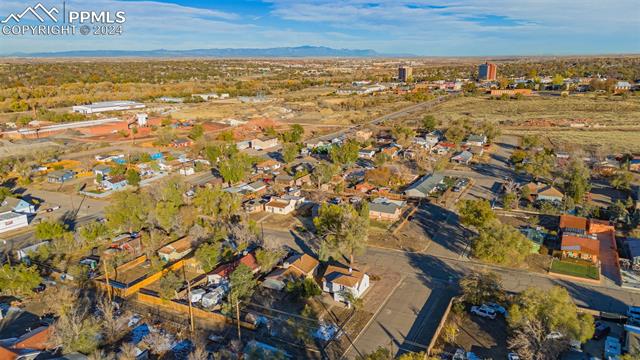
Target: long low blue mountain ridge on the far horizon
(299, 51)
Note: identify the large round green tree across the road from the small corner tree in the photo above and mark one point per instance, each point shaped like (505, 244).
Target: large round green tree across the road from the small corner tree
(501, 244)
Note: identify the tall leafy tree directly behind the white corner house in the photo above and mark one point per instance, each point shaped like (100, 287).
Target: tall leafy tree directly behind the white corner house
(342, 230)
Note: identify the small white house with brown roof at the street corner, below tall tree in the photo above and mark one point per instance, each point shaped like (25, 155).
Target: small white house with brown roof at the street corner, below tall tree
(338, 279)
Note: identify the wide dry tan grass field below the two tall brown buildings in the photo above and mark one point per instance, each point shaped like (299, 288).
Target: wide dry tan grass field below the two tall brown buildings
(611, 124)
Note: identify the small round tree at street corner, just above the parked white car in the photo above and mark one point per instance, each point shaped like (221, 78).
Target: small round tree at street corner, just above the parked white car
(481, 287)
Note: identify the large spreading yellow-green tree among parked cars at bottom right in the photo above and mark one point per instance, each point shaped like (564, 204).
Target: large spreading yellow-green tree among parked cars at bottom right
(554, 310)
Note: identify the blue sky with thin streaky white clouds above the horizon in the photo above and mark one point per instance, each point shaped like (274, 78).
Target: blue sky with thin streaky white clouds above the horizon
(426, 28)
